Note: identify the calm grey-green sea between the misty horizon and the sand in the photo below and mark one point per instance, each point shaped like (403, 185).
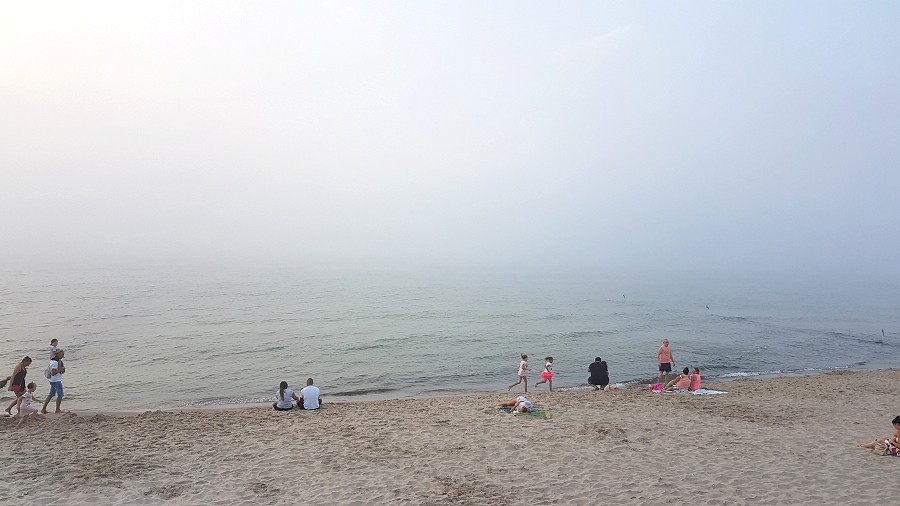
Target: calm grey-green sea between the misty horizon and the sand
(146, 339)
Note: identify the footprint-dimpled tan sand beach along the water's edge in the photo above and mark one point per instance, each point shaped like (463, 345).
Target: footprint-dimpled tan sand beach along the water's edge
(787, 440)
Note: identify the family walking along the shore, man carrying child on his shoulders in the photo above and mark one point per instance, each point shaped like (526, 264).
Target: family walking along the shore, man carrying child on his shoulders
(25, 401)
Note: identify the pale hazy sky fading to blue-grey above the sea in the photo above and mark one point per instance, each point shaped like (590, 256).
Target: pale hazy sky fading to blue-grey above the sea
(657, 135)
